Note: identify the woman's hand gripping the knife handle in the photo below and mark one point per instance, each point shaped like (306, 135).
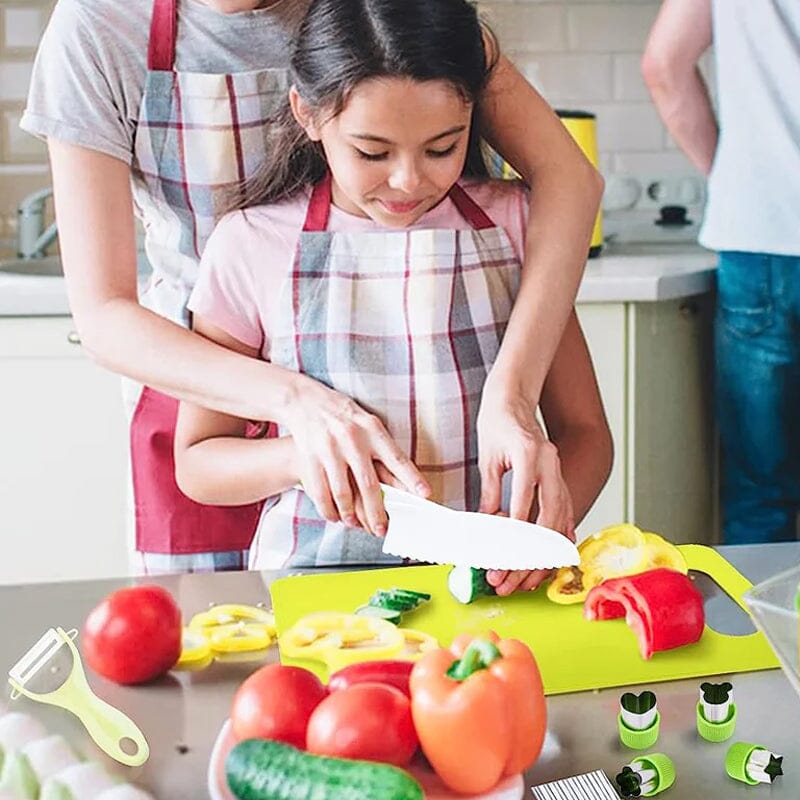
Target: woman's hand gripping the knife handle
(339, 447)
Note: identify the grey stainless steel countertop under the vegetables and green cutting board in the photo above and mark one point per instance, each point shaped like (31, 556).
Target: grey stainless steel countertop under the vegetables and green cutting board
(181, 714)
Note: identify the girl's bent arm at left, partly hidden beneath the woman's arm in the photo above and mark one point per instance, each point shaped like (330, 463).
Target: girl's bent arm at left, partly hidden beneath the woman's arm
(214, 463)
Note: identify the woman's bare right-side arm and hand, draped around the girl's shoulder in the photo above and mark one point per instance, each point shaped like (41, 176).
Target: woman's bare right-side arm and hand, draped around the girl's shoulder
(565, 195)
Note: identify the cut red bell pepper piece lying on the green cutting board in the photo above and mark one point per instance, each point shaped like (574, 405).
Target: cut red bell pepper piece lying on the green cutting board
(662, 607)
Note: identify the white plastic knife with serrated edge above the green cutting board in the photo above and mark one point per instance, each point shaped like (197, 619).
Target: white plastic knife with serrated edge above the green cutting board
(426, 531)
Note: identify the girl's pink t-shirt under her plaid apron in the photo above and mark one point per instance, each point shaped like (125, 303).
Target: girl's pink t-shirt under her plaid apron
(251, 252)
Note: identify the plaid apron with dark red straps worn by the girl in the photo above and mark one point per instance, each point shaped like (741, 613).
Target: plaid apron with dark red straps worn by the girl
(408, 324)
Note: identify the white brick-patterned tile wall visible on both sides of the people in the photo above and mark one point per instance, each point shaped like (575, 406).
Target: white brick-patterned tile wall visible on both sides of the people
(578, 53)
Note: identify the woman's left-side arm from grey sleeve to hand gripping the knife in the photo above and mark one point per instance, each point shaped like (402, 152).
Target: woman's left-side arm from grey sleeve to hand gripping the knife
(333, 435)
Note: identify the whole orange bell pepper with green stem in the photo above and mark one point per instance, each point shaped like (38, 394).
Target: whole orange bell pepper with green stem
(479, 710)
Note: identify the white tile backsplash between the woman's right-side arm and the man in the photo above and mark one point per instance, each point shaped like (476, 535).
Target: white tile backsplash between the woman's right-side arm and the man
(585, 54)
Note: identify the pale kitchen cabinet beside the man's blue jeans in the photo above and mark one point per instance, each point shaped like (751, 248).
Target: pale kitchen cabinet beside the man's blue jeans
(654, 366)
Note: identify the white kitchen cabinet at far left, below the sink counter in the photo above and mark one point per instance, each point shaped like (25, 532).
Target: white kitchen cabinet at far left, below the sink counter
(63, 456)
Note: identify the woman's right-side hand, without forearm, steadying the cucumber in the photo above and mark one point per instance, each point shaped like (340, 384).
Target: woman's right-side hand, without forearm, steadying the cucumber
(510, 438)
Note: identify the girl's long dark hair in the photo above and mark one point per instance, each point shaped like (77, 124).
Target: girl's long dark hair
(343, 42)
